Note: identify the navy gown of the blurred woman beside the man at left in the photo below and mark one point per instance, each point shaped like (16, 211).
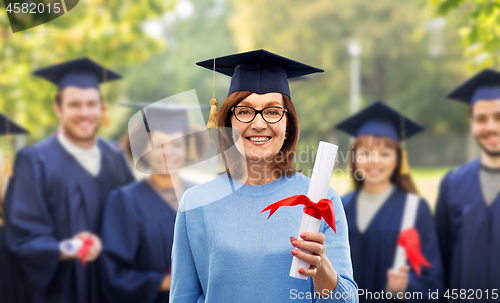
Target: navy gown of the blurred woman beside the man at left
(138, 229)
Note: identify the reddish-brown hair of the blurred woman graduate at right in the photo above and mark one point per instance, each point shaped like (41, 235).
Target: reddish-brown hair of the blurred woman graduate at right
(404, 182)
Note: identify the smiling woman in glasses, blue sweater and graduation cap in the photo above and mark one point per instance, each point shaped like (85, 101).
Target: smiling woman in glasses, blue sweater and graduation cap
(225, 250)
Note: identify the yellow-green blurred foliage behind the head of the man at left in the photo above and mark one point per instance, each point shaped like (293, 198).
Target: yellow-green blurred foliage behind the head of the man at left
(109, 32)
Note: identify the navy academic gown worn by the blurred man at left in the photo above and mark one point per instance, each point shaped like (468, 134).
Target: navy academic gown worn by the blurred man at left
(50, 198)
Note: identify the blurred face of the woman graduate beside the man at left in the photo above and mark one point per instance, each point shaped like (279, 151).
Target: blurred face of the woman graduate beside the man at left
(175, 150)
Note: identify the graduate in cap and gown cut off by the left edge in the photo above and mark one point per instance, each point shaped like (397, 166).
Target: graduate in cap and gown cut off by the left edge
(11, 278)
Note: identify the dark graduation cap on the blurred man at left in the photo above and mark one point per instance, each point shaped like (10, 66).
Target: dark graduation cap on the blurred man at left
(83, 73)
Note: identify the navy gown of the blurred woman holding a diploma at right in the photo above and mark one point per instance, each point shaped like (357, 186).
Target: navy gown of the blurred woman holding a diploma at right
(373, 251)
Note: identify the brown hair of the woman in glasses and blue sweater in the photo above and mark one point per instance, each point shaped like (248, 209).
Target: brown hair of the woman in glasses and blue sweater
(283, 162)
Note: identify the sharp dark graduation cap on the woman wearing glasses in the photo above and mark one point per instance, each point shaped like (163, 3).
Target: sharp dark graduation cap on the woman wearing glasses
(259, 71)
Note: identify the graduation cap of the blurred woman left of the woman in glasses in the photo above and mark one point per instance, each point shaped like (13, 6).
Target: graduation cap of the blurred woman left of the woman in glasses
(169, 118)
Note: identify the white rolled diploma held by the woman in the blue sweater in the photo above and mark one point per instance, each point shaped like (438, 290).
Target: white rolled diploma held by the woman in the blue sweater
(318, 189)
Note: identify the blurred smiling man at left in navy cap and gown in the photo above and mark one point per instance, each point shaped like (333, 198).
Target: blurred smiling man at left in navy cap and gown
(59, 188)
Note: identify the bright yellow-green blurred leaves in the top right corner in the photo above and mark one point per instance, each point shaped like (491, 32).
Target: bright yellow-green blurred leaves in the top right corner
(479, 31)
